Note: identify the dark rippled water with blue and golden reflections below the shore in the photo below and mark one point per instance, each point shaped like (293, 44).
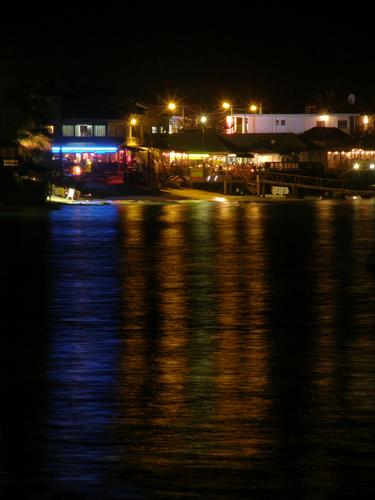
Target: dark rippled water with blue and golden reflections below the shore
(196, 350)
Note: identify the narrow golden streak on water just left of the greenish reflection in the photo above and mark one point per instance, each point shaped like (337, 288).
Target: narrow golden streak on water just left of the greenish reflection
(173, 309)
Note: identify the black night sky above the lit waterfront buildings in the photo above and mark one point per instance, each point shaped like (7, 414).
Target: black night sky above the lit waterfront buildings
(195, 56)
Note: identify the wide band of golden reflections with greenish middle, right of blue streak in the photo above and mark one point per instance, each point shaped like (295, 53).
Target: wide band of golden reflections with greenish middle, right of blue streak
(195, 374)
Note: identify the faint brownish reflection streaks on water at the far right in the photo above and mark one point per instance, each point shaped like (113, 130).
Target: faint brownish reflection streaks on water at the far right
(343, 351)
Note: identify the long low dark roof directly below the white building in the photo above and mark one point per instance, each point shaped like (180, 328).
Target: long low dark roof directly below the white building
(269, 143)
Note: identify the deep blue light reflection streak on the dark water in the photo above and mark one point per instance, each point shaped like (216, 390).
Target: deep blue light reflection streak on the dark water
(83, 345)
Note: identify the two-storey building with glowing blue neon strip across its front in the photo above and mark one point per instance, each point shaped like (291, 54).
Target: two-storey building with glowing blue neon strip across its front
(87, 128)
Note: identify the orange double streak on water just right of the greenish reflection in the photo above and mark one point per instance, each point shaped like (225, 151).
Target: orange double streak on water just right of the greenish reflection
(242, 355)
